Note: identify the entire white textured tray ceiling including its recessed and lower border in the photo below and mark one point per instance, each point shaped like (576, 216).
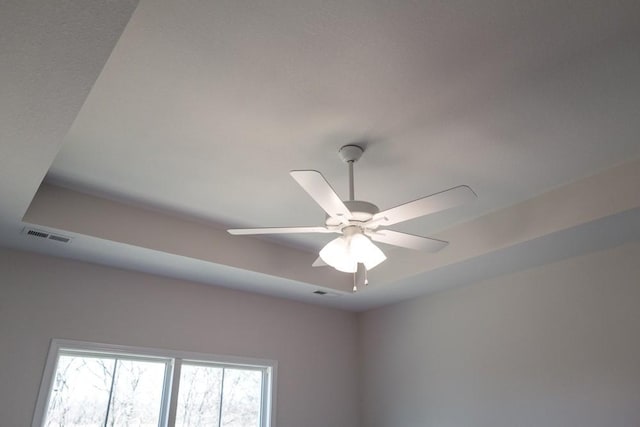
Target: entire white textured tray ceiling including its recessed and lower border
(203, 107)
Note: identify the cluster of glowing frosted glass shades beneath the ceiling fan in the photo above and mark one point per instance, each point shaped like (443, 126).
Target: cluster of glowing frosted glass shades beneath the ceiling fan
(345, 252)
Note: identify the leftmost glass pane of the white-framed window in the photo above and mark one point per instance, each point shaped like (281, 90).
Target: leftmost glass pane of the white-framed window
(80, 392)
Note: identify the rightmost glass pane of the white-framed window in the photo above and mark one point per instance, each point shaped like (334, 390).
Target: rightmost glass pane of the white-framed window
(242, 398)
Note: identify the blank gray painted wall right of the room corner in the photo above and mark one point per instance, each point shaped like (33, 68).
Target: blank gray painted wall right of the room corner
(557, 345)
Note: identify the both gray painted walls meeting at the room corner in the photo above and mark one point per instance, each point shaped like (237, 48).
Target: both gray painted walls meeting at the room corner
(555, 346)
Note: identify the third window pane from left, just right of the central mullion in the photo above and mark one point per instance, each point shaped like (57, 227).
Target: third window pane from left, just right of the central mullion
(199, 396)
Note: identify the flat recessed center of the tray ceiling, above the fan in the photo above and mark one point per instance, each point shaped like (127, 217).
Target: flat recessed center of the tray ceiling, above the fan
(204, 107)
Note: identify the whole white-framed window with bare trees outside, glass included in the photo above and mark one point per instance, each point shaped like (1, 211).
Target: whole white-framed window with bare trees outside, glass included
(88, 384)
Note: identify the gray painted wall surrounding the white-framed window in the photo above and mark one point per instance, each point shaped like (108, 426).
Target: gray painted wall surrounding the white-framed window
(43, 297)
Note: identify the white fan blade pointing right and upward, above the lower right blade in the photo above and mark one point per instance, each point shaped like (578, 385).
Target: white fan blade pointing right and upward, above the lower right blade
(427, 205)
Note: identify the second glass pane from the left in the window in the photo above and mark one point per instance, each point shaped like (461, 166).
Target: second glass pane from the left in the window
(137, 393)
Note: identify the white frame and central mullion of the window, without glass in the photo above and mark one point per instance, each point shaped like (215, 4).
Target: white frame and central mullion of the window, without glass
(173, 359)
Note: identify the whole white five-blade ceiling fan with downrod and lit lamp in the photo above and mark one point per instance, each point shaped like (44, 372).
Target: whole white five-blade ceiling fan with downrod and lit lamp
(361, 223)
